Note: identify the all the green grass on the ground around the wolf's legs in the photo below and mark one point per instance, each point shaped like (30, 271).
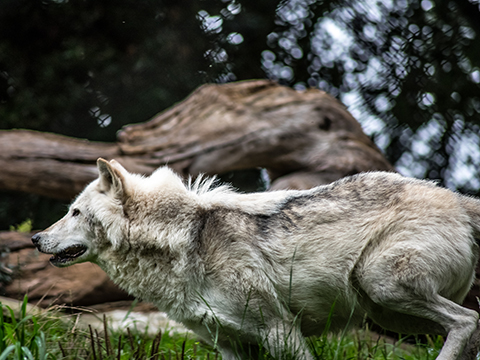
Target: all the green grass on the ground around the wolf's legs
(53, 335)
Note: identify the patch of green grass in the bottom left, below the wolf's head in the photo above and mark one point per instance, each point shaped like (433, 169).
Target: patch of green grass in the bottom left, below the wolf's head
(53, 336)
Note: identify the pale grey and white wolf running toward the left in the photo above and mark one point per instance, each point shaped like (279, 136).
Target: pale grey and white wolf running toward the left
(265, 270)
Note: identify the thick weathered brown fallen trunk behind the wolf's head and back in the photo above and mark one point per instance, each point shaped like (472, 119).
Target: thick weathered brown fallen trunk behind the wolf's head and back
(302, 138)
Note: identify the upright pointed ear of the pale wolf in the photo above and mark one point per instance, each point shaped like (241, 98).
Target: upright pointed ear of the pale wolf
(112, 177)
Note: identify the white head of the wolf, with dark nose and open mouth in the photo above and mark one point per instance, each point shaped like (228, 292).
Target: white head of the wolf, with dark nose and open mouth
(95, 220)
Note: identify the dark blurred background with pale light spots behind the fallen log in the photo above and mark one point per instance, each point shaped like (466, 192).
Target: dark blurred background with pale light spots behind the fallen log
(409, 71)
